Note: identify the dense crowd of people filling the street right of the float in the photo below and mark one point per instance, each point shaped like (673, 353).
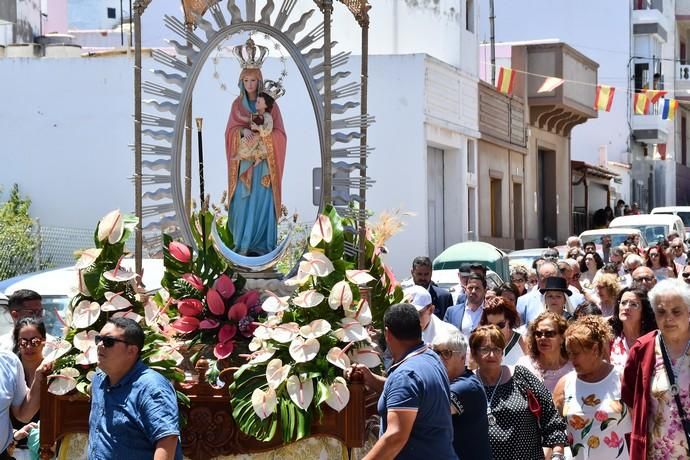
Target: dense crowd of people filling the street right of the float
(584, 357)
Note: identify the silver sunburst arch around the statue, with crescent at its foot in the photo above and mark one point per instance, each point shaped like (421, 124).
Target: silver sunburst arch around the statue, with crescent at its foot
(175, 87)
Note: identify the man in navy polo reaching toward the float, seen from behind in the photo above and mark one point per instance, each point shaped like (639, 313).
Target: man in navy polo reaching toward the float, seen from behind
(415, 398)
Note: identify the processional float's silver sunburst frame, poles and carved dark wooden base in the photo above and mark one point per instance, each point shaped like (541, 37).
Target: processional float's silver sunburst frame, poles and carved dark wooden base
(163, 187)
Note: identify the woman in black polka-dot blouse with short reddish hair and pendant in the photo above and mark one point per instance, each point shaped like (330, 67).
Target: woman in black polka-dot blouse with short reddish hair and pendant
(523, 421)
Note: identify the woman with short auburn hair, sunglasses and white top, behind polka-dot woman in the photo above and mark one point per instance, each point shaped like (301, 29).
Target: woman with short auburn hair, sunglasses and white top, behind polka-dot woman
(502, 314)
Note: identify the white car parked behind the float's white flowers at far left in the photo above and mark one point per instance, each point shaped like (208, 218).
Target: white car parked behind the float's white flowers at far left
(58, 286)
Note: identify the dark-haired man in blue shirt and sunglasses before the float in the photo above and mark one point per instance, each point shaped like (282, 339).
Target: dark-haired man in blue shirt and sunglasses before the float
(134, 412)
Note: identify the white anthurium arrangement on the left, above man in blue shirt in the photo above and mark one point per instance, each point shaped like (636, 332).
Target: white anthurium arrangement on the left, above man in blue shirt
(105, 289)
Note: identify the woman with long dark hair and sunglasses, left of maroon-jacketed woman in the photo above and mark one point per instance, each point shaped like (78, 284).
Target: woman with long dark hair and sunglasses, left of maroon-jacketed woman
(632, 318)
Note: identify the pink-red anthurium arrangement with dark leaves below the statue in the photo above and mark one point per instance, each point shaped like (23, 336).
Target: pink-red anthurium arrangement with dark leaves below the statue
(210, 305)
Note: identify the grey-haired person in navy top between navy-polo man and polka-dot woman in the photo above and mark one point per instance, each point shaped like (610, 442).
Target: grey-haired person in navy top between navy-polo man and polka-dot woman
(467, 398)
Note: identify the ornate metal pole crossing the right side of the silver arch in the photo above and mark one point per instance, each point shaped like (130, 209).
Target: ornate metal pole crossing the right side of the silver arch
(327, 188)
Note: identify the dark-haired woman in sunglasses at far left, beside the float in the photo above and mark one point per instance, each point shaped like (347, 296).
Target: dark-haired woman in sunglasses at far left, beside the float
(29, 336)
